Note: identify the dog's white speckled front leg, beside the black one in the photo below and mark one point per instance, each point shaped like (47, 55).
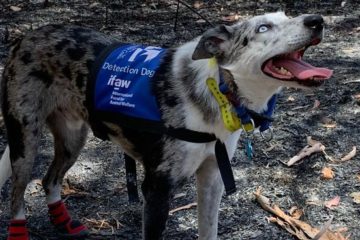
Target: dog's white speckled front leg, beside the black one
(209, 192)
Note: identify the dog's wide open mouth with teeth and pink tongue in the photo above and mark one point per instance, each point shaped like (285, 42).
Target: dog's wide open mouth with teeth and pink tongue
(291, 67)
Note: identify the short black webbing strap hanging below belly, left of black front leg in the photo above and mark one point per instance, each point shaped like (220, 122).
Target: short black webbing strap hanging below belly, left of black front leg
(131, 179)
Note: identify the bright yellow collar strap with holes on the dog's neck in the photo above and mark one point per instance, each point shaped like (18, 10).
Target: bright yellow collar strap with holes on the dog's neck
(231, 121)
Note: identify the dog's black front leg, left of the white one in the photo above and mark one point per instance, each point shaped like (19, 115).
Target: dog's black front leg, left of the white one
(156, 190)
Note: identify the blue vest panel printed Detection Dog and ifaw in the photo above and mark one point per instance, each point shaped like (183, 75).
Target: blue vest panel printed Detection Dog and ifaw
(124, 82)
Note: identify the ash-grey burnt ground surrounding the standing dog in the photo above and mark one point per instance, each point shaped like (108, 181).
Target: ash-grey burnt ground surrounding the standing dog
(95, 186)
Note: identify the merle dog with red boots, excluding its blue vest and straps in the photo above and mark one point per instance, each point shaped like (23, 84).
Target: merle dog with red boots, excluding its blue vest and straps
(45, 84)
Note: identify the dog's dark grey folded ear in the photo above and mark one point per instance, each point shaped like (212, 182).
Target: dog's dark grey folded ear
(213, 42)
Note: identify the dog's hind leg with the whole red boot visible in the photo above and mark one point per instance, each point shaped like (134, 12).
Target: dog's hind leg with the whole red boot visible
(69, 138)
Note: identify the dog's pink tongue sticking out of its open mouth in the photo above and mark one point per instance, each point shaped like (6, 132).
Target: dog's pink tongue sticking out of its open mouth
(302, 70)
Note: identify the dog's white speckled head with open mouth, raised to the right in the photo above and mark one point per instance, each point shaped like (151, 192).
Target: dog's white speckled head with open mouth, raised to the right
(266, 50)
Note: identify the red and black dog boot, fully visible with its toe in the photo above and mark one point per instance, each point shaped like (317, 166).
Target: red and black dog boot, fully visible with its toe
(66, 226)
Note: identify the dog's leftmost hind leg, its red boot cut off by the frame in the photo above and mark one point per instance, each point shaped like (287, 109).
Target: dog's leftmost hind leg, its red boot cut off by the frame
(23, 130)
